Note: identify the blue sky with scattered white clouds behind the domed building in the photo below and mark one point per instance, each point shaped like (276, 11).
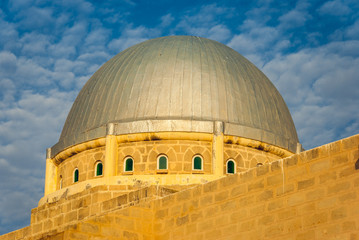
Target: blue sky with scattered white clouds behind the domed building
(49, 49)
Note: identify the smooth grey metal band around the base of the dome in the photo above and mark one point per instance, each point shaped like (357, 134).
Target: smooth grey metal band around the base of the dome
(172, 125)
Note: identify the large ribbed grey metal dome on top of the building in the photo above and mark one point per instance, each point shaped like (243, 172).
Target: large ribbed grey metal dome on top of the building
(182, 78)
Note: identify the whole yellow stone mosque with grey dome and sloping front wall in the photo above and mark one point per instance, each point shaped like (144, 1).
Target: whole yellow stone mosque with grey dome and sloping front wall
(181, 137)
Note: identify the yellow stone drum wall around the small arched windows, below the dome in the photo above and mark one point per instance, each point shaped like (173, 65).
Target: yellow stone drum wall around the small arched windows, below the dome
(145, 153)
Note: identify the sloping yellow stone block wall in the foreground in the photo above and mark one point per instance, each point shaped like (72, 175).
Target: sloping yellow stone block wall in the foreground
(311, 195)
